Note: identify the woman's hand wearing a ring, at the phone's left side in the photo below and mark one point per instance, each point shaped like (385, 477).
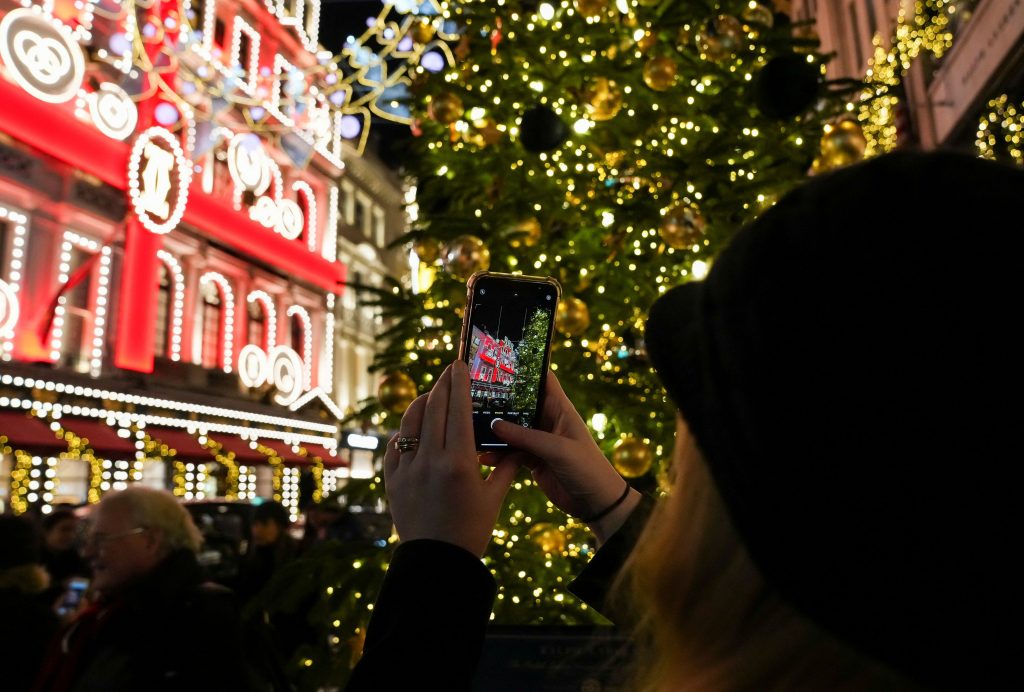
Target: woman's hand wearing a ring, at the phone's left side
(438, 491)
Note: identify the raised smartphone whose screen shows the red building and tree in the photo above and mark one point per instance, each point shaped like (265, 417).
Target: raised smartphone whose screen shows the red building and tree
(506, 343)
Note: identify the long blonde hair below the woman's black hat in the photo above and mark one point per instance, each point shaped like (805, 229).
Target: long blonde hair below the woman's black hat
(708, 621)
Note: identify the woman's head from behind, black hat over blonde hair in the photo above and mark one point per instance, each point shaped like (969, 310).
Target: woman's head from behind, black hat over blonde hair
(840, 511)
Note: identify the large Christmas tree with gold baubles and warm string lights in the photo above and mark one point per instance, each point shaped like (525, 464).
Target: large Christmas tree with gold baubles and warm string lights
(616, 146)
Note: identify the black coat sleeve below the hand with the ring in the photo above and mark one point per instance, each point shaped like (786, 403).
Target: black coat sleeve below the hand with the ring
(429, 625)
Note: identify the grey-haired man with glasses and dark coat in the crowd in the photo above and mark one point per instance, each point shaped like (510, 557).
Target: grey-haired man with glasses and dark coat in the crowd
(154, 625)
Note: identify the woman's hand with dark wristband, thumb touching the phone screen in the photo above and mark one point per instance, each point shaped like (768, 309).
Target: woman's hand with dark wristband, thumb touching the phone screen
(567, 463)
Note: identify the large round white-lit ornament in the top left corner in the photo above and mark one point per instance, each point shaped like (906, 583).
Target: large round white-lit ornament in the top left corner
(41, 56)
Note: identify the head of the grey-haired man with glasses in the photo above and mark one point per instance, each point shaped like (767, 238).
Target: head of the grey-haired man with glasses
(134, 532)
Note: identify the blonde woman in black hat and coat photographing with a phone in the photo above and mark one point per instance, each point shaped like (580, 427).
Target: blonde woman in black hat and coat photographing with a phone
(847, 382)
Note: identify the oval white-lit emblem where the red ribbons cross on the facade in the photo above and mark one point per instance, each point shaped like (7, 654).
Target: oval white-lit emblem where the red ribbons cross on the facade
(159, 177)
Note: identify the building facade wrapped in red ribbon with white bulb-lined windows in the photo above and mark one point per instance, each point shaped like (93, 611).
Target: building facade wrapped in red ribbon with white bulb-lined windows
(172, 211)
